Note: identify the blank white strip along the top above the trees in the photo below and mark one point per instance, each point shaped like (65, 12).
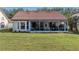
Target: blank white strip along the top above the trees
(39, 3)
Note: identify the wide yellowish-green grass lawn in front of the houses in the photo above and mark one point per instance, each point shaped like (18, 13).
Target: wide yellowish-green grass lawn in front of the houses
(39, 41)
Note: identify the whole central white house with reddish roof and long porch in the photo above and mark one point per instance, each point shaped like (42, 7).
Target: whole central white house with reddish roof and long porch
(39, 21)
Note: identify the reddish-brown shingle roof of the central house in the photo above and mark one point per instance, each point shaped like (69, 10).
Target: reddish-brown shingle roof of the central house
(38, 15)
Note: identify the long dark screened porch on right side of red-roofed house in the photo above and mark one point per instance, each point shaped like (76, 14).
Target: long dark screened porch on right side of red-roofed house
(49, 26)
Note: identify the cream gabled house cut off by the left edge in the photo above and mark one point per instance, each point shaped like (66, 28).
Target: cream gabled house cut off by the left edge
(5, 22)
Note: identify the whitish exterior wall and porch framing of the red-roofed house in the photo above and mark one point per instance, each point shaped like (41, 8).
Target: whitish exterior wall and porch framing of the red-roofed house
(18, 28)
